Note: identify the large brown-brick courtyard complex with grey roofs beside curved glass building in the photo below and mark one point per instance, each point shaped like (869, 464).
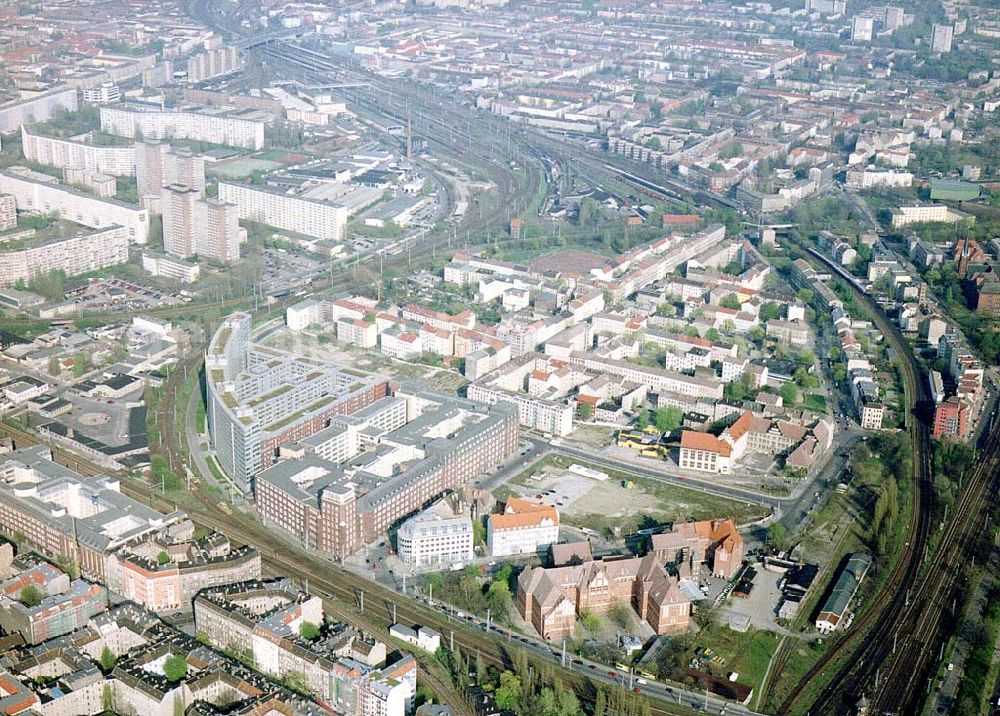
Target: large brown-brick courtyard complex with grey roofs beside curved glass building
(336, 507)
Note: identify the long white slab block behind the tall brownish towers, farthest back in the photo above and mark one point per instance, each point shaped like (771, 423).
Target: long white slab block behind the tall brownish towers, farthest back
(149, 123)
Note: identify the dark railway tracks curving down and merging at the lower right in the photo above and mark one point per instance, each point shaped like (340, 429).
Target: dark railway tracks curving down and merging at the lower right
(902, 626)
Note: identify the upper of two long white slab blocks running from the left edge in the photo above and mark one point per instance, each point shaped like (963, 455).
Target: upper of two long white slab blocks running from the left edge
(39, 193)
